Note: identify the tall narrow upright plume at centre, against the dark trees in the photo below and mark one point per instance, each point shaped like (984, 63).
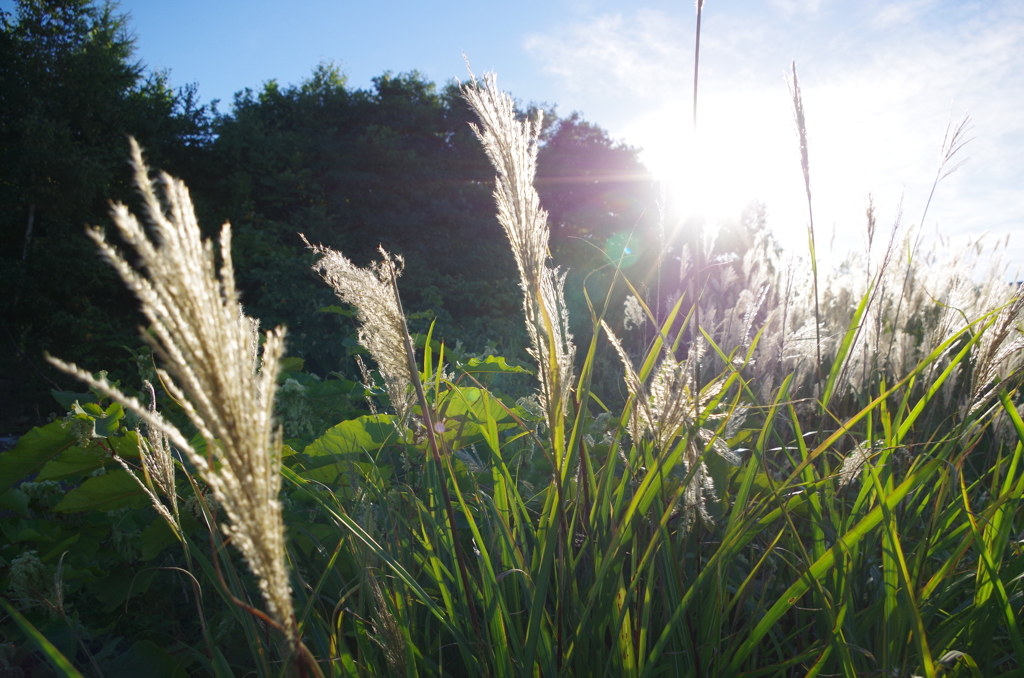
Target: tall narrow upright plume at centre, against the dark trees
(513, 145)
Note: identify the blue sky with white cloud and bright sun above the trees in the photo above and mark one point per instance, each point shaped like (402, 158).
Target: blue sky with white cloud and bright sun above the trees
(880, 78)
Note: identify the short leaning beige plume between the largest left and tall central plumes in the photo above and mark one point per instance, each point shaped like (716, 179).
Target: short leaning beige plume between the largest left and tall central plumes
(382, 326)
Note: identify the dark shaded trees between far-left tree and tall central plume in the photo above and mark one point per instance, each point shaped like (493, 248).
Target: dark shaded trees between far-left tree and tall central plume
(394, 166)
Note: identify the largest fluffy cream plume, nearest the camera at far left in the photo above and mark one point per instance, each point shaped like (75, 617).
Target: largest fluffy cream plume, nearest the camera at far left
(207, 347)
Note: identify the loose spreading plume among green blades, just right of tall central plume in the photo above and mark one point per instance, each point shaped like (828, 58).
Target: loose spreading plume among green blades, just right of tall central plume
(666, 410)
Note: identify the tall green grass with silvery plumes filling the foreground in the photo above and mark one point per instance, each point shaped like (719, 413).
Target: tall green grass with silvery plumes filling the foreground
(827, 482)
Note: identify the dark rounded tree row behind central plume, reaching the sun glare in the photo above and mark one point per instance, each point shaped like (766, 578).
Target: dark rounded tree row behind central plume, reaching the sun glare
(398, 166)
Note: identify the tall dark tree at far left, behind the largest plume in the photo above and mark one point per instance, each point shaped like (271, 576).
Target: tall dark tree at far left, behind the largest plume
(70, 95)
